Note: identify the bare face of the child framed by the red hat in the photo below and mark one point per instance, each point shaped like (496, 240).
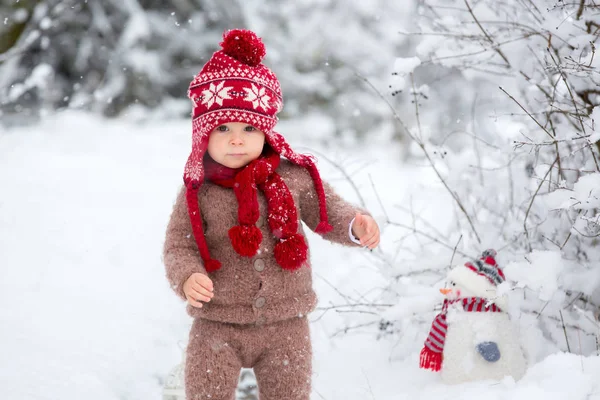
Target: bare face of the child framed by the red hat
(235, 144)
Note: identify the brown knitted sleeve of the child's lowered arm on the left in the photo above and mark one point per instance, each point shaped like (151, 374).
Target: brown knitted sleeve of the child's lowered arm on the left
(180, 253)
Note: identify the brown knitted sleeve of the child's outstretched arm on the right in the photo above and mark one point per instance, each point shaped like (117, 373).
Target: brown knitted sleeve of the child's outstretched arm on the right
(339, 211)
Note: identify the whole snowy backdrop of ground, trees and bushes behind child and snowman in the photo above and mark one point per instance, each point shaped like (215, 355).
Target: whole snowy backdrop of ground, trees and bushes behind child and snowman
(95, 133)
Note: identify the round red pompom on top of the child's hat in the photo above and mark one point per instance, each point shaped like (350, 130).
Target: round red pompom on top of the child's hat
(244, 46)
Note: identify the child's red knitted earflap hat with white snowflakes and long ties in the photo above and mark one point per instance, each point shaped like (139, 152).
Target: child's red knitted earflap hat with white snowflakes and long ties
(234, 86)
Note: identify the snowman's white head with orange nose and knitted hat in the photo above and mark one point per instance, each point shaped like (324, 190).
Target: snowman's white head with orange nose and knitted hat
(476, 279)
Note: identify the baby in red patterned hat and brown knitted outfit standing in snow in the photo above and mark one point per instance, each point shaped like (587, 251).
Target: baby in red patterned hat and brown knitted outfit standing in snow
(235, 248)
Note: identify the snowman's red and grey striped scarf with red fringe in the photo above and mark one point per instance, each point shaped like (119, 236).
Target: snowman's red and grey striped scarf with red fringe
(431, 355)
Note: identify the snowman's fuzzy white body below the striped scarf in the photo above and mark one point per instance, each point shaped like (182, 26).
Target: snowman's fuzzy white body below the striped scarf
(462, 362)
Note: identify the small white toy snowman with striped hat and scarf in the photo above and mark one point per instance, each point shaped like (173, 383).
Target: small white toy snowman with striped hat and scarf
(472, 338)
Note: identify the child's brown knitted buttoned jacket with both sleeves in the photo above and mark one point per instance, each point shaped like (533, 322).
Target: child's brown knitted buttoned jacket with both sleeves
(250, 289)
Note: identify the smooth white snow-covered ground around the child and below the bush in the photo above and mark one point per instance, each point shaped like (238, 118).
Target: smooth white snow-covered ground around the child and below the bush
(85, 310)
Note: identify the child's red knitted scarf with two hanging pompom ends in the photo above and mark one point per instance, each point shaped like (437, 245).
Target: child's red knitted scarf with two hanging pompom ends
(291, 250)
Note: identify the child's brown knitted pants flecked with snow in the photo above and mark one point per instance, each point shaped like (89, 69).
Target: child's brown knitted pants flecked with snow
(280, 354)
